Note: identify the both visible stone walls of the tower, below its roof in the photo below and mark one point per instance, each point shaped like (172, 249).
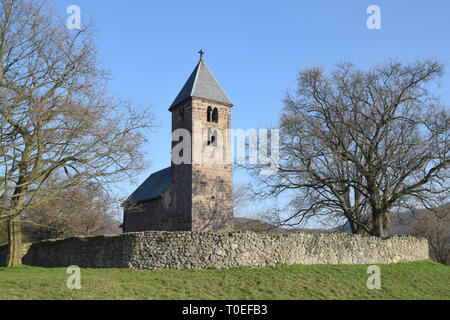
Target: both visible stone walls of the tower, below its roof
(202, 192)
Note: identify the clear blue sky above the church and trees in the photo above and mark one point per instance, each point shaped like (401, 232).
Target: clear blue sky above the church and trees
(254, 49)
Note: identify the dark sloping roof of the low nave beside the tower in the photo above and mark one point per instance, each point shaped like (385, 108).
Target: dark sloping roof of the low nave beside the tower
(151, 188)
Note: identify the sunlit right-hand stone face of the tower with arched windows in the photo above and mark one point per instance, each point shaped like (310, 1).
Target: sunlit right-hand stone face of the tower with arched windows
(212, 179)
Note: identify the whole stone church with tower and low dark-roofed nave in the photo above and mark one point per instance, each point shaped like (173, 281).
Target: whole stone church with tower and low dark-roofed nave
(193, 196)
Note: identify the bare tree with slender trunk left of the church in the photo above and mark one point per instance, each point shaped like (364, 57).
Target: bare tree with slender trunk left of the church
(56, 116)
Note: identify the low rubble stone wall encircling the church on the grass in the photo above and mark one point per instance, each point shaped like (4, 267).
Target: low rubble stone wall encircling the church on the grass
(184, 250)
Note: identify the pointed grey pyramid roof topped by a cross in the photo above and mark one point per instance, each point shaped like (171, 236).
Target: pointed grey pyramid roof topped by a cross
(202, 84)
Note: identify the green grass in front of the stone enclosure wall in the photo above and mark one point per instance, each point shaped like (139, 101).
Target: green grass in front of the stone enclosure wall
(415, 280)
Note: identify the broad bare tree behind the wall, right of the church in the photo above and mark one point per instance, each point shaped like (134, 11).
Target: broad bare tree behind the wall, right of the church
(356, 144)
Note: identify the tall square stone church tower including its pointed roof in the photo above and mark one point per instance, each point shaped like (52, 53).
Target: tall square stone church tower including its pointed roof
(201, 185)
